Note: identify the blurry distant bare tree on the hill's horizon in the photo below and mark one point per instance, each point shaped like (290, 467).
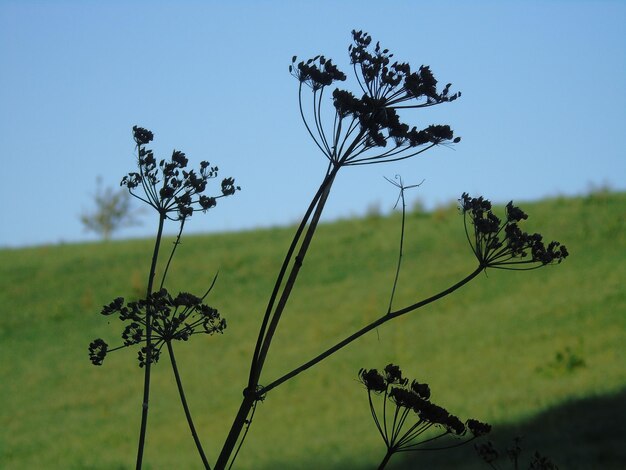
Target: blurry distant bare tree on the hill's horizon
(112, 211)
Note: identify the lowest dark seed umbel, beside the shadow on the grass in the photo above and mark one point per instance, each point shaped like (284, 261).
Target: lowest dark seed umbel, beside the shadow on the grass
(407, 413)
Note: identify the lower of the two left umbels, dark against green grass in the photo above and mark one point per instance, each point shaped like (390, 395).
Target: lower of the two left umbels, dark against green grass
(172, 318)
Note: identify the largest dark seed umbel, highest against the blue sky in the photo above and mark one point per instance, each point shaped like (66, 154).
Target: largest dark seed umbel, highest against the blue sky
(368, 129)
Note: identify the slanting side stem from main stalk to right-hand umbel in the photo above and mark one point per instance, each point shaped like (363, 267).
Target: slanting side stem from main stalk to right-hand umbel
(367, 328)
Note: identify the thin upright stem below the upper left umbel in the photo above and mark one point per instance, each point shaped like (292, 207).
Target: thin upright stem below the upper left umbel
(146, 382)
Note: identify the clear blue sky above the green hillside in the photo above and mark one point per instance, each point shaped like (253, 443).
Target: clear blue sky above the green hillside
(543, 110)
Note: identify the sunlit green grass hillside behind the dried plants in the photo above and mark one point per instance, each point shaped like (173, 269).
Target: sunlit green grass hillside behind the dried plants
(490, 351)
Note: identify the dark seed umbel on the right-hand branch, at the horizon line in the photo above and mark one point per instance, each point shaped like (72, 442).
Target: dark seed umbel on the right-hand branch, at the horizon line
(502, 244)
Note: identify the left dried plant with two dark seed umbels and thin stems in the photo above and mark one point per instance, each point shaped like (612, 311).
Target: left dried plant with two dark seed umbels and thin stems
(175, 194)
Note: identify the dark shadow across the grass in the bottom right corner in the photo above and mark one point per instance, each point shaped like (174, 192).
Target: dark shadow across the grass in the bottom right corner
(583, 434)
